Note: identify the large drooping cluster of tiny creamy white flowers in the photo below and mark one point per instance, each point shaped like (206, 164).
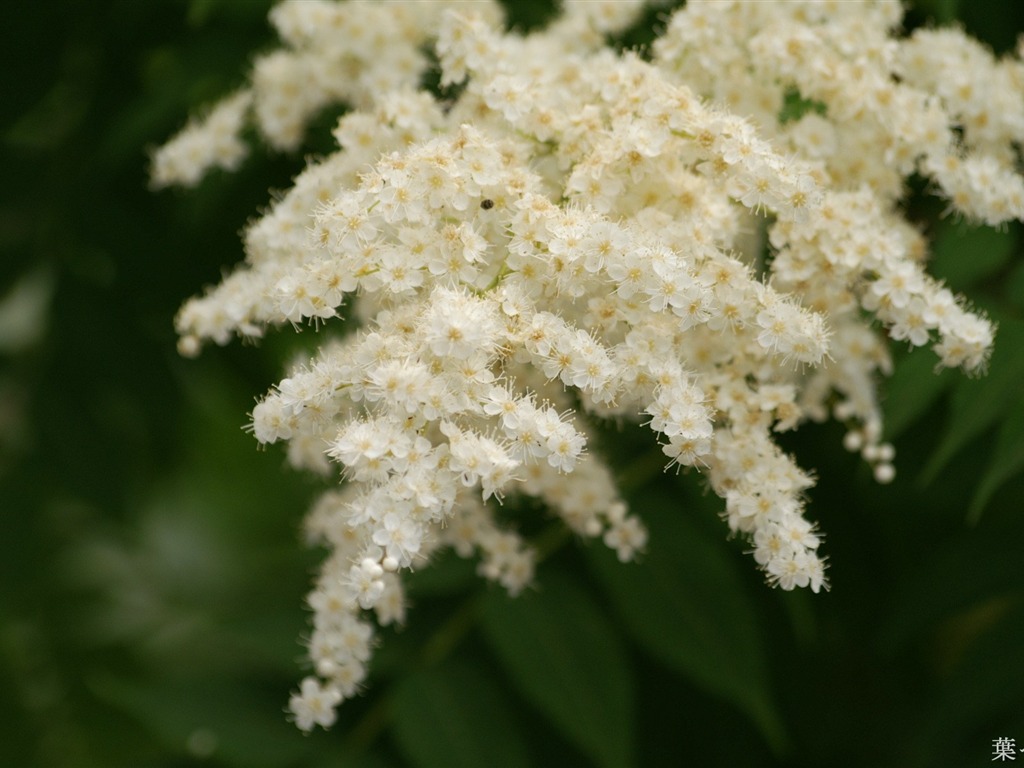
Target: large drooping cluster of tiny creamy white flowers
(707, 241)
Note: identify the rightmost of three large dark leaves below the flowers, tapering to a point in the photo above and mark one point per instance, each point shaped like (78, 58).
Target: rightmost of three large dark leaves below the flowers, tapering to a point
(686, 605)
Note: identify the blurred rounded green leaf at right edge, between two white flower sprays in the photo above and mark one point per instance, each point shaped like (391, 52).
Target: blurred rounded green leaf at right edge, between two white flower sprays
(964, 255)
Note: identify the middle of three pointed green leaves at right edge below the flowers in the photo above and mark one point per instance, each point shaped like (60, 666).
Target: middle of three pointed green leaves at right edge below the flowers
(977, 404)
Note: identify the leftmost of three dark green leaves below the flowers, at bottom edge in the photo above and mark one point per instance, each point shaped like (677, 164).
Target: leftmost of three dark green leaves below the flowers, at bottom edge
(457, 716)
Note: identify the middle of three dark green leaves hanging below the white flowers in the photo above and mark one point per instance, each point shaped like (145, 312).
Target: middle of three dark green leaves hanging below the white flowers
(567, 659)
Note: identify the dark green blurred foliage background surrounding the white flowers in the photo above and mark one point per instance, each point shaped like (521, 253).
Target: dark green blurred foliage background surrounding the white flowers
(152, 564)
